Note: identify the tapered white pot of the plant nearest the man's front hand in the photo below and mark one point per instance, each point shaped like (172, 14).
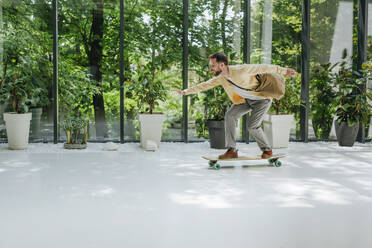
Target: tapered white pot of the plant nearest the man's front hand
(150, 129)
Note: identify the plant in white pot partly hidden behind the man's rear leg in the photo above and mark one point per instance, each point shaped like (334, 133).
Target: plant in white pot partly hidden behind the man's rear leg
(277, 123)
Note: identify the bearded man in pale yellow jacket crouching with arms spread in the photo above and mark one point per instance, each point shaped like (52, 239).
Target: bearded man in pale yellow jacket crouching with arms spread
(249, 87)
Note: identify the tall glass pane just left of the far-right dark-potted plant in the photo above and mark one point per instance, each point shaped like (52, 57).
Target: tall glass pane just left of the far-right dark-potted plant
(331, 36)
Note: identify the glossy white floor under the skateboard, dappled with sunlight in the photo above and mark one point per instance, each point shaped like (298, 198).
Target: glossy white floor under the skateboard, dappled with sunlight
(53, 198)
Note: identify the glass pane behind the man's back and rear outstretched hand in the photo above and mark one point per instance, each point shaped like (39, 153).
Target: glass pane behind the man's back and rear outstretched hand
(276, 39)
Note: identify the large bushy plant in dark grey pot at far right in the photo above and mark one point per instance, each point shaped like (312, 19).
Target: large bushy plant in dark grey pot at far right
(351, 103)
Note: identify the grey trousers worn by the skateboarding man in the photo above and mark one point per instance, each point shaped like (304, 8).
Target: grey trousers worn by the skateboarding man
(259, 109)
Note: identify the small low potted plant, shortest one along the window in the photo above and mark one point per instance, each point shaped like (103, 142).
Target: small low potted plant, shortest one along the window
(76, 128)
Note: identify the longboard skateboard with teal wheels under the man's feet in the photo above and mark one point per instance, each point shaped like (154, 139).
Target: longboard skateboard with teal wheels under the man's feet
(273, 160)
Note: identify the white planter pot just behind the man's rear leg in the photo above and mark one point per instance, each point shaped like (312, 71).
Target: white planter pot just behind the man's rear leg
(277, 129)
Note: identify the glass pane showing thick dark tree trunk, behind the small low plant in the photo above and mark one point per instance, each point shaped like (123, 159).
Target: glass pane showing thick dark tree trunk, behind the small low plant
(89, 65)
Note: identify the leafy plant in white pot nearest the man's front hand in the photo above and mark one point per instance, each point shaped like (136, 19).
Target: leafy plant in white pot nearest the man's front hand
(149, 89)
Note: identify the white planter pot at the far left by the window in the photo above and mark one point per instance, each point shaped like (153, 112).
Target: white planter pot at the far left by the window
(17, 130)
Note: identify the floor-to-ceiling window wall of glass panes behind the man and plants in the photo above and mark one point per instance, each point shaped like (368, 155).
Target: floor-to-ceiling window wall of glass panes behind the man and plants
(89, 60)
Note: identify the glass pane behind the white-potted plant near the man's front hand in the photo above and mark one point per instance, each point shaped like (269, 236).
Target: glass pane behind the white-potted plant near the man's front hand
(153, 60)
